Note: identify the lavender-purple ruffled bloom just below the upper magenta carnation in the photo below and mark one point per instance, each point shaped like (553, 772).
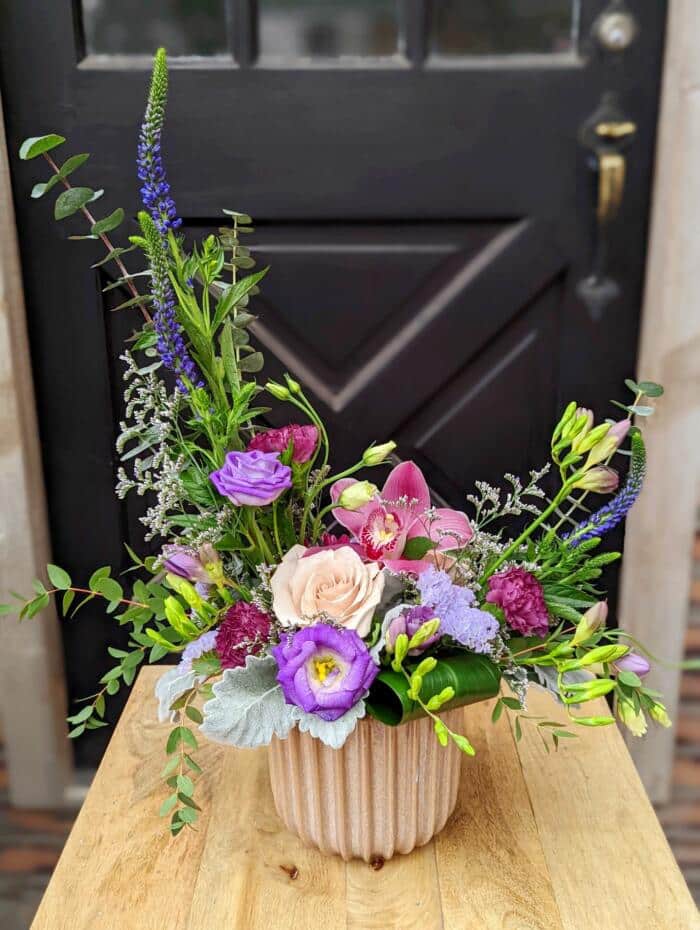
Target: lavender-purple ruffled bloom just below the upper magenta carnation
(252, 478)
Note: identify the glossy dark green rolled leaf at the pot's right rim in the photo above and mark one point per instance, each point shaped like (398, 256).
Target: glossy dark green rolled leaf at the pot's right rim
(473, 677)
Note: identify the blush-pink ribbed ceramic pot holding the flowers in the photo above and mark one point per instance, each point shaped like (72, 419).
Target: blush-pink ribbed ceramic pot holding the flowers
(388, 790)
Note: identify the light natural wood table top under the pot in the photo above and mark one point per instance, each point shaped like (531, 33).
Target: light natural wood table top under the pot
(559, 841)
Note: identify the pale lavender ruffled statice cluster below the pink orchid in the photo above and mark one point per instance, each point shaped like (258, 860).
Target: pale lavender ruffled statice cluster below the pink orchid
(454, 605)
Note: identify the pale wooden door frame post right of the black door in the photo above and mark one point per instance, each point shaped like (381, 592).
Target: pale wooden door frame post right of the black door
(657, 571)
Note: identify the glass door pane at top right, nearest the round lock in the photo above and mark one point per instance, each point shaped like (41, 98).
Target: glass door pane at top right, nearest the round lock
(502, 27)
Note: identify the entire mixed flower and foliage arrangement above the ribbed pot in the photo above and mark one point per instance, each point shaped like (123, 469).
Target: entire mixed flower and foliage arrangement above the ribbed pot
(291, 595)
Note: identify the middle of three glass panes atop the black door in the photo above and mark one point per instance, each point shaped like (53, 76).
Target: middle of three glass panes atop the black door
(292, 29)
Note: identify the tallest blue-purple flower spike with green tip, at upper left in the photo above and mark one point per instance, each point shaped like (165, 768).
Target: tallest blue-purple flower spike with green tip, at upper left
(155, 192)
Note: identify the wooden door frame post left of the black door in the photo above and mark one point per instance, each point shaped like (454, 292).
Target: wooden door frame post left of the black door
(32, 689)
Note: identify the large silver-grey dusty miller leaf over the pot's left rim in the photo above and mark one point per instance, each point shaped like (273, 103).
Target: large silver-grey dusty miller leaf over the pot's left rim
(248, 706)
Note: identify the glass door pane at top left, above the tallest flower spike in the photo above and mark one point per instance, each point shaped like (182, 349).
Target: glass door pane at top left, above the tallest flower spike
(132, 27)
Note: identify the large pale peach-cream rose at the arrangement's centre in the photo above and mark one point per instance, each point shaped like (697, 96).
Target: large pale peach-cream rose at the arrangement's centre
(333, 583)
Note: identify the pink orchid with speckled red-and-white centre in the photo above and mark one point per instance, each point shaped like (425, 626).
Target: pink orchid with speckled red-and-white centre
(399, 512)
